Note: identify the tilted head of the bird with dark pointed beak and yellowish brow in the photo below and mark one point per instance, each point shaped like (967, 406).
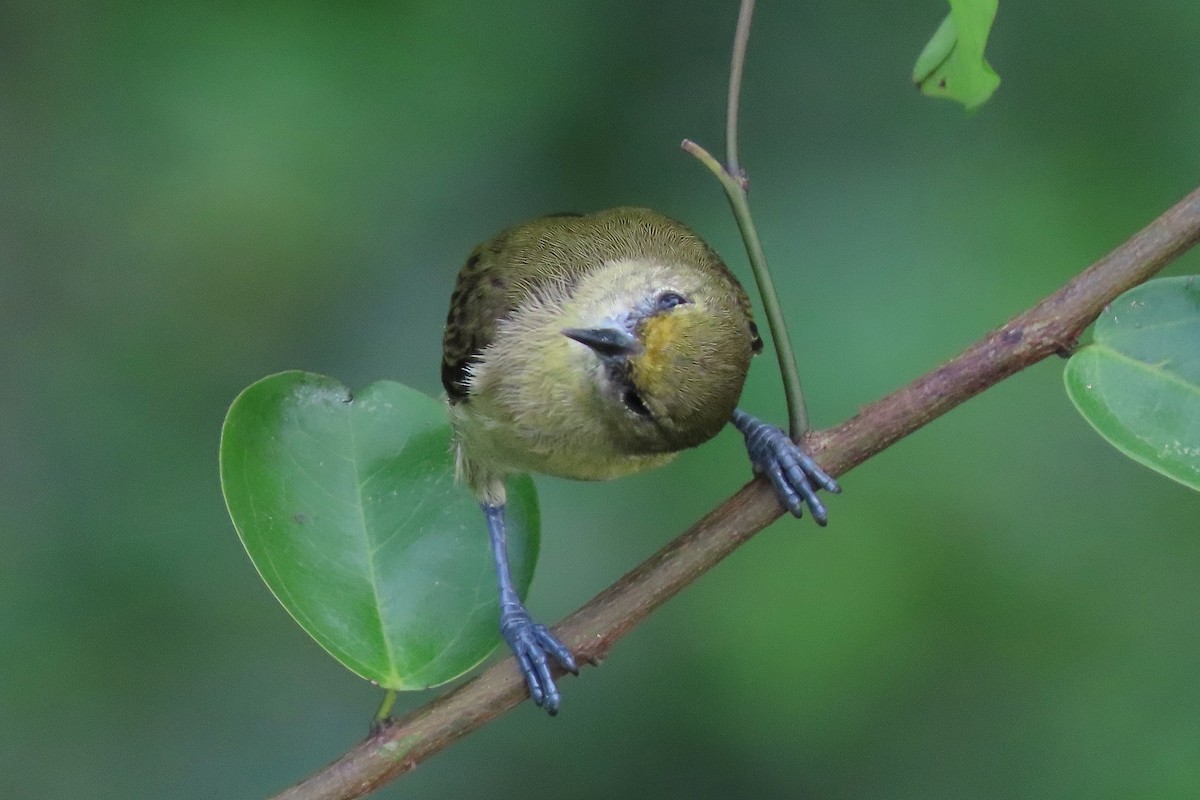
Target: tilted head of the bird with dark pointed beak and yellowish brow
(667, 347)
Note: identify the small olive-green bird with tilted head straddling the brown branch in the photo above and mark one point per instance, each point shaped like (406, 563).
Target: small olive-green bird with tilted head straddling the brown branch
(591, 347)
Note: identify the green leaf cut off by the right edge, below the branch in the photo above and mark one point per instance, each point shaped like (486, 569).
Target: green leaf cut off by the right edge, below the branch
(1139, 382)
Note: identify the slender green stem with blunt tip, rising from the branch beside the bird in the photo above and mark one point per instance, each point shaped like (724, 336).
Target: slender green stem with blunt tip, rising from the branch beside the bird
(735, 190)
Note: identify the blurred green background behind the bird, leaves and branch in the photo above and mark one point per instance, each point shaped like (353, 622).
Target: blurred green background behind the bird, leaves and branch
(197, 195)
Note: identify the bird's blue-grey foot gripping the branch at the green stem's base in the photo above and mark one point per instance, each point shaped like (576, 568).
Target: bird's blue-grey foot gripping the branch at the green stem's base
(791, 471)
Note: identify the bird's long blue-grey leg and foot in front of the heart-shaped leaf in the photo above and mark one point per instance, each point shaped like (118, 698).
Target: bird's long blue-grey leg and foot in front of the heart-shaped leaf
(530, 642)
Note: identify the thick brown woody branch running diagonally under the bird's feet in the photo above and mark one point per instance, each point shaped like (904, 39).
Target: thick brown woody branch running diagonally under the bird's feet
(1052, 327)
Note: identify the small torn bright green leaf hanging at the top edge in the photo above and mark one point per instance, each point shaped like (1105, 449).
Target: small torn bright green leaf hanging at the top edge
(953, 65)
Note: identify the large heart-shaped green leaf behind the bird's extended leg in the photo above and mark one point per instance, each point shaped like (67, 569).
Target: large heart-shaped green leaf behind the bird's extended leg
(349, 509)
